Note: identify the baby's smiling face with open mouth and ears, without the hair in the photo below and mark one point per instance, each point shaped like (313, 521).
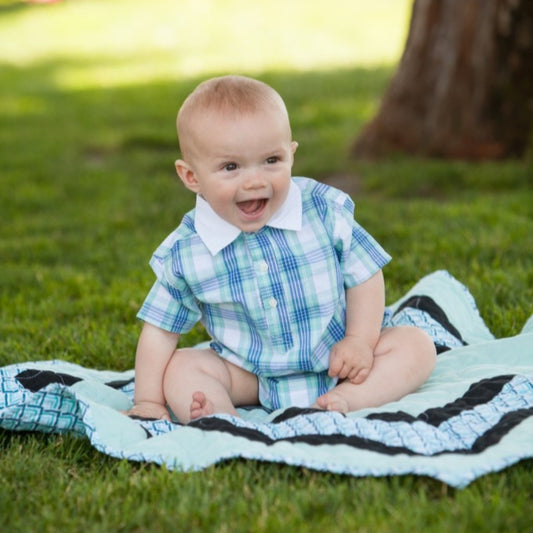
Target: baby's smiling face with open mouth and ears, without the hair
(241, 165)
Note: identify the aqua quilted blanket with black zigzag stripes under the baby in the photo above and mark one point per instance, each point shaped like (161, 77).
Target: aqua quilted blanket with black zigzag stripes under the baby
(473, 416)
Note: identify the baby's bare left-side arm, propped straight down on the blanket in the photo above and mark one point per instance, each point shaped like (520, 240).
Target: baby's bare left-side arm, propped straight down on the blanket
(154, 350)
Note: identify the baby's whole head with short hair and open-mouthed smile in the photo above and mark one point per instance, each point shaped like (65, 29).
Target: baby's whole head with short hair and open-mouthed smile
(237, 150)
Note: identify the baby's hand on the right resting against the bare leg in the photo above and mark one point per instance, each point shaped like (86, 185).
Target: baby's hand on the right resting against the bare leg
(351, 358)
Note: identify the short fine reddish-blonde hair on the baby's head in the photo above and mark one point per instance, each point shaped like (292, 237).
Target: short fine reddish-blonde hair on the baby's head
(228, 94)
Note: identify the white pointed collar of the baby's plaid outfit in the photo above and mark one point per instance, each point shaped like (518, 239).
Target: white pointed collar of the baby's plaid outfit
(216, 233)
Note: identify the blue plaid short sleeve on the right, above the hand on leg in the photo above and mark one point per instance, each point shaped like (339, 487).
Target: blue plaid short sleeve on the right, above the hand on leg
(360, 255)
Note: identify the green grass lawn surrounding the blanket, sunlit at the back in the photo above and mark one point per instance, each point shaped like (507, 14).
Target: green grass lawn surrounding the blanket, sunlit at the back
(88, 95)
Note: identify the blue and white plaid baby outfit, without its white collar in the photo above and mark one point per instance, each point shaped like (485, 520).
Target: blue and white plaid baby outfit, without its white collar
(273, 301)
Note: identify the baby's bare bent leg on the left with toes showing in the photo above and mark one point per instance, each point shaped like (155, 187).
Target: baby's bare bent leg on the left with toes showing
(200, 382)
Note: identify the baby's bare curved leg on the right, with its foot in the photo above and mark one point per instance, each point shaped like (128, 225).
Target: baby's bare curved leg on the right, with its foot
(403, 360)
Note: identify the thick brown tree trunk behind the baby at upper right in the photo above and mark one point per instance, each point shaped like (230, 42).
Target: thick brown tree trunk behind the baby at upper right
(464, 86)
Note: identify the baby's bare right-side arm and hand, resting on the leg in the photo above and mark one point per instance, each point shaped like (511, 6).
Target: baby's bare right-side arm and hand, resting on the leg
(352, 357)
